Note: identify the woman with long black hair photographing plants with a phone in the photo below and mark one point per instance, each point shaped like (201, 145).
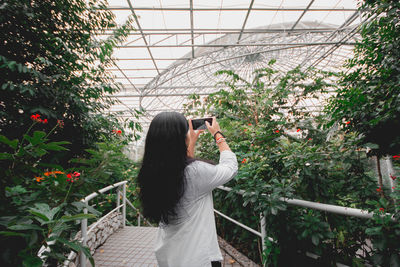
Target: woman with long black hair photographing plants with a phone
(175, 190)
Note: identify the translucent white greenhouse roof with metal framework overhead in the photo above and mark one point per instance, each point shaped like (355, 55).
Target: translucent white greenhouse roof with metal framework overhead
(178, 45)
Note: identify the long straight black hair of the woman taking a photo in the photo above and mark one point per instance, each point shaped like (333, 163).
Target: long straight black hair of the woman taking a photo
(161, 177)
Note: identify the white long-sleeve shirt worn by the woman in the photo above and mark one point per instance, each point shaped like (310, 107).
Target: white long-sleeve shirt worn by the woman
(190, 238)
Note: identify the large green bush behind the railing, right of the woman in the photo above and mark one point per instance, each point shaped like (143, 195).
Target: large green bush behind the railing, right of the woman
(285, 150)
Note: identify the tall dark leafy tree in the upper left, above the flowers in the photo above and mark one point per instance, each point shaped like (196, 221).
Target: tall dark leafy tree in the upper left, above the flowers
(53, 64)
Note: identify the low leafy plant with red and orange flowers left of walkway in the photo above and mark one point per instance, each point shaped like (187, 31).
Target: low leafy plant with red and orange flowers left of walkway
(41, 206)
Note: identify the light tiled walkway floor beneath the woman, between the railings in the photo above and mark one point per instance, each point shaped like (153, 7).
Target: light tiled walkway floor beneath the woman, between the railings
(133, 246)
